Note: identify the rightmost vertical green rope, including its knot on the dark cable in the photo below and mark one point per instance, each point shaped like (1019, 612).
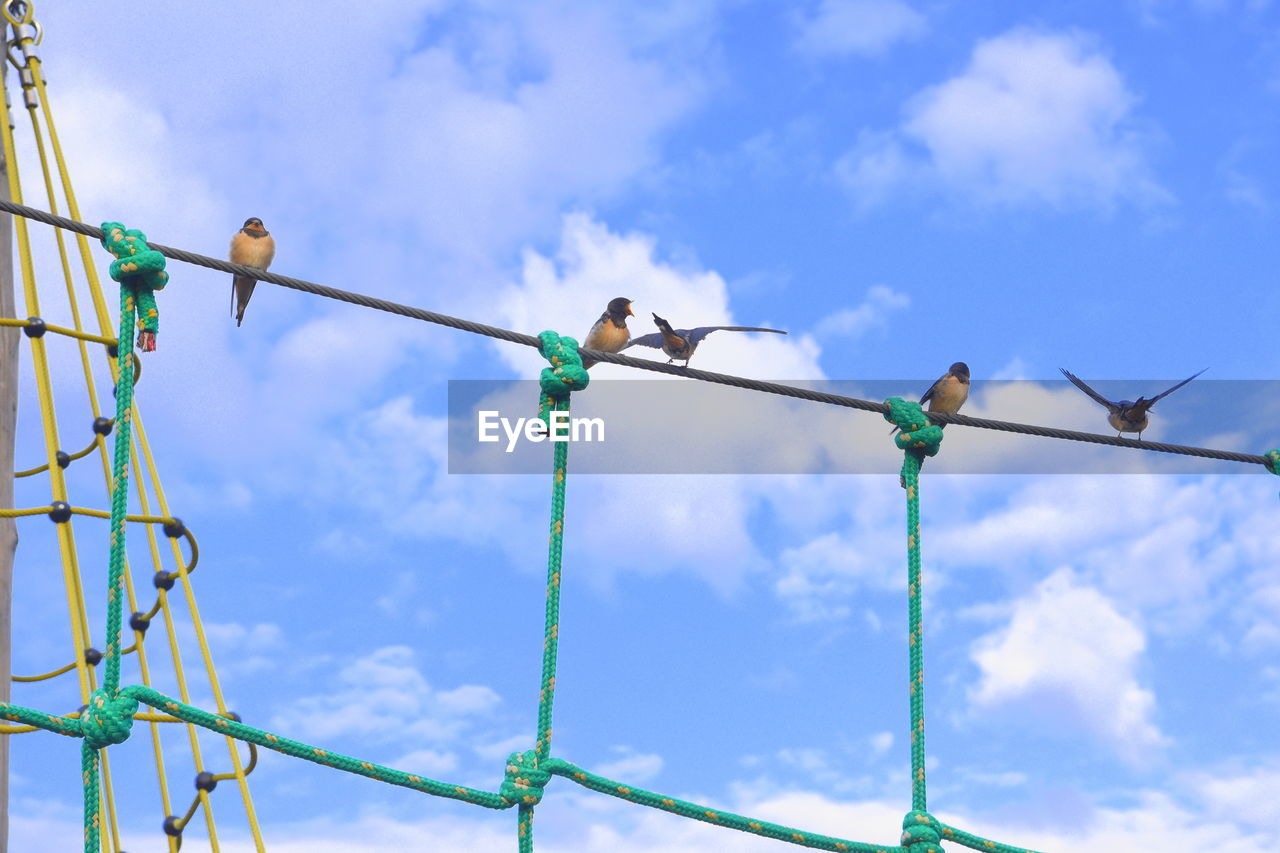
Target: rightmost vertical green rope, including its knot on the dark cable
(918, 439)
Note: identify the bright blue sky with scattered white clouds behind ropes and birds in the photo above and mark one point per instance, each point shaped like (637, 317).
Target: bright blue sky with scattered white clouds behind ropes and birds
(899, 185)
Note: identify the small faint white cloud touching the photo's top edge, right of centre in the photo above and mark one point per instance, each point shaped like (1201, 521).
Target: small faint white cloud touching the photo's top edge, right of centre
(858, 28)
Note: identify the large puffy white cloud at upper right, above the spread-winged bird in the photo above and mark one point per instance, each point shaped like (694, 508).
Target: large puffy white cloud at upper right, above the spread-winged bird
(1035, 118)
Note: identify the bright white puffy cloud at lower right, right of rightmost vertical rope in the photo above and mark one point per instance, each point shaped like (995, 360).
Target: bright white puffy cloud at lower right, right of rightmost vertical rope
(1067, 642)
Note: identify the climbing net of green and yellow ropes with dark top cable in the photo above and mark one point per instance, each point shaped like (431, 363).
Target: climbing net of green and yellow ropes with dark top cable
(109, 710)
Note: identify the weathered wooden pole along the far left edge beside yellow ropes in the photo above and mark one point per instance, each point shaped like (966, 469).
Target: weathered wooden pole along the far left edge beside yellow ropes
(10, 339)
